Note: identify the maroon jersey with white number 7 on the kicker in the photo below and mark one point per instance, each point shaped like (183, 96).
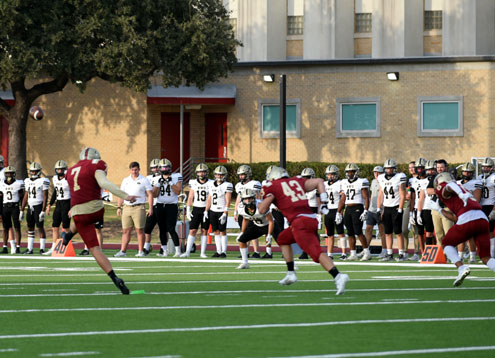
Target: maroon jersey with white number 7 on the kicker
(82, 181)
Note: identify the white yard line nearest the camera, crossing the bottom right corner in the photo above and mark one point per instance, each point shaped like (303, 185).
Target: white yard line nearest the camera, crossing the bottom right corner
(398, 353)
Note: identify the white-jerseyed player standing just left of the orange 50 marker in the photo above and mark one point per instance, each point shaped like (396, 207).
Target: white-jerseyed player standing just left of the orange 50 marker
(417, 184)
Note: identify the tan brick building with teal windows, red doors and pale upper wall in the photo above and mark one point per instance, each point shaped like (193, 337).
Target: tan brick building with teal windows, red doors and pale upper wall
(342, 106)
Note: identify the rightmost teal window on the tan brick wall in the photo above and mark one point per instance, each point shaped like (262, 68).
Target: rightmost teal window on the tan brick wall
(440, 116)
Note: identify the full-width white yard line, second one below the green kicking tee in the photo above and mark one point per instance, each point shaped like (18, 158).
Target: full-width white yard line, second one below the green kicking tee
(245, 327)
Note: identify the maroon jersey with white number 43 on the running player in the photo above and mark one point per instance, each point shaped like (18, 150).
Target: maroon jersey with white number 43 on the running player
(290, 196)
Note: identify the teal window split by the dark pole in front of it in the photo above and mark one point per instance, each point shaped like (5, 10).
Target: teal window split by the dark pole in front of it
(269, 118)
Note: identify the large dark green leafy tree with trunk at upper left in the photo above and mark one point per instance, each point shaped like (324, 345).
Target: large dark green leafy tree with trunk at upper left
(59, 41)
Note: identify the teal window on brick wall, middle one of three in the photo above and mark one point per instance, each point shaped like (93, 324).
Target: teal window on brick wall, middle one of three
(358, 117)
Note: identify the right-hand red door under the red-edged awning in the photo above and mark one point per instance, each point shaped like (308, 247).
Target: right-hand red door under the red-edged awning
(216, 137)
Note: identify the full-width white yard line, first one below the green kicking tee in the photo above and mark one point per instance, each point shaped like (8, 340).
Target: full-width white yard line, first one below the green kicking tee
(268, 305)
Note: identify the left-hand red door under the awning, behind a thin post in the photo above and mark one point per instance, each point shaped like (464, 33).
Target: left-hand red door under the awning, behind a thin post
(170, 141)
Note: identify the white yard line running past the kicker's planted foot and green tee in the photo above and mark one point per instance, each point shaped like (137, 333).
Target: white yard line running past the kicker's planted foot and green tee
(113, 293)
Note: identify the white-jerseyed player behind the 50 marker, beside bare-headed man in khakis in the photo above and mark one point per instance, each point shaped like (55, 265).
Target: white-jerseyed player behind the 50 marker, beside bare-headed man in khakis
(423, 209)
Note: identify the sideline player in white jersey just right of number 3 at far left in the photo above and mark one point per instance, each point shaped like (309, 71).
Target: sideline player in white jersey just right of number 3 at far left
(36, 196)
